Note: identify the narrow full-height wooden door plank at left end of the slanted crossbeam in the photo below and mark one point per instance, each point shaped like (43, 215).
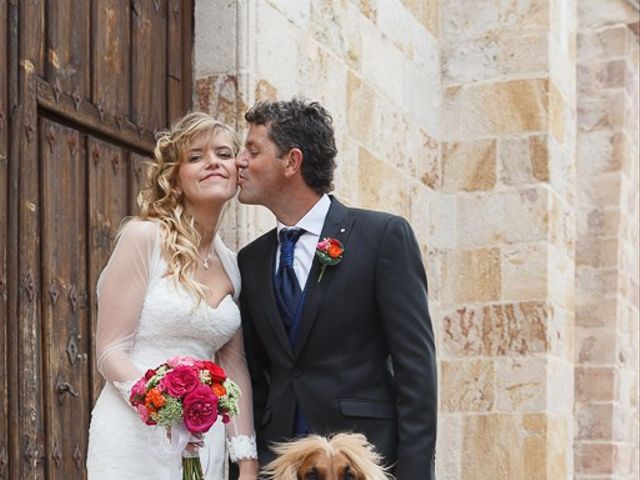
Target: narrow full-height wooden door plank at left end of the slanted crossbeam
(31, 455)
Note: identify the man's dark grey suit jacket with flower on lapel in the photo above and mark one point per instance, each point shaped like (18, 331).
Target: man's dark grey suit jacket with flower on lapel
(365, 356)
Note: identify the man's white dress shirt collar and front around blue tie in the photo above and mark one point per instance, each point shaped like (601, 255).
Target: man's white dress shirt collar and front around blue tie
(305, 250)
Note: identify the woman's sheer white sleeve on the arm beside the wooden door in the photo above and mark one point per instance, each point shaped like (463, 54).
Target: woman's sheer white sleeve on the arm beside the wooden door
(121, 291)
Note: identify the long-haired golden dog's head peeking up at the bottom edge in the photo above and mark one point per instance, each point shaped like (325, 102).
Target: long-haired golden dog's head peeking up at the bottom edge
(344, 456)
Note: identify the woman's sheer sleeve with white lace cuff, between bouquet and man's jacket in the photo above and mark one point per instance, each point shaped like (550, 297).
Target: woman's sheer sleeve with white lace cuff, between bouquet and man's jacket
(241, 439)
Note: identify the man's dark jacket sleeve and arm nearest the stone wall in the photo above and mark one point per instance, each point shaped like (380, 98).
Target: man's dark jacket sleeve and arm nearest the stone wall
(402, 300)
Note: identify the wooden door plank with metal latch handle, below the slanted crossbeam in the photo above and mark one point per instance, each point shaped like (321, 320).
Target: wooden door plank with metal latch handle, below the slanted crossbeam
(64, 303)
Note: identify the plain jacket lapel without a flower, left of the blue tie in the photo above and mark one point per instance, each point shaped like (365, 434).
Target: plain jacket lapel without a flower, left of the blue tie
(267, 295)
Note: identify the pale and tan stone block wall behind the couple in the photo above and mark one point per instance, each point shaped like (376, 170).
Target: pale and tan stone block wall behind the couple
(461, 115)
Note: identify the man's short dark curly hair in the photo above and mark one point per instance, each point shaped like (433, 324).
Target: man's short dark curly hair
(301, 124)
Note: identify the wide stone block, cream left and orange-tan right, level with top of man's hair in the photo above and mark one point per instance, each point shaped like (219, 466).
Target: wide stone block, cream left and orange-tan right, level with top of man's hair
(511, 107)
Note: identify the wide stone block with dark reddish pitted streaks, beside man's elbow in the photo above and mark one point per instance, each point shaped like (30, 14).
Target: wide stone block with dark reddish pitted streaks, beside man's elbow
(497, 330)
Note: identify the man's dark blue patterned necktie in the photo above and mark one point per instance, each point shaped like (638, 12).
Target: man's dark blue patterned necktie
(288, 292)
